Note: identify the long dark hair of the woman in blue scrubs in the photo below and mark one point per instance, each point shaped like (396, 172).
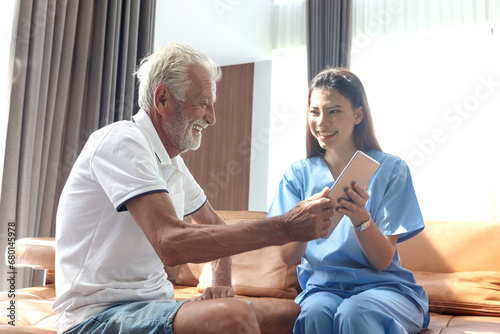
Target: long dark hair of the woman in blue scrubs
(349, 85)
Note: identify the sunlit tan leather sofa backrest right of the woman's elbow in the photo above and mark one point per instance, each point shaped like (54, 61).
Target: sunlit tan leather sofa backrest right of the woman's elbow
(446, 247)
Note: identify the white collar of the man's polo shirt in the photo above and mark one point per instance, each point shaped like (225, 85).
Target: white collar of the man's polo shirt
(144, 121)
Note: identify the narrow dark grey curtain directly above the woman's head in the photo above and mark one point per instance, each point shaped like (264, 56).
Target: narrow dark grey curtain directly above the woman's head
(329, 34)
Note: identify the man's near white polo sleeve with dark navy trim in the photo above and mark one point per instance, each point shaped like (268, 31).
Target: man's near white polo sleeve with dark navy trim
(124, 165)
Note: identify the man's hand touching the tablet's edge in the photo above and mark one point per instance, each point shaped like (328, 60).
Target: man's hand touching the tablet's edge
(310, 218)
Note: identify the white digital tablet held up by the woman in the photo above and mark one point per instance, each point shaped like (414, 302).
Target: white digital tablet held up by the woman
(360, 169)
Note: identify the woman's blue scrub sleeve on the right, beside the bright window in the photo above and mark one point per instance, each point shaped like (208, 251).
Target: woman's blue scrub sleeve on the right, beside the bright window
(395, 203)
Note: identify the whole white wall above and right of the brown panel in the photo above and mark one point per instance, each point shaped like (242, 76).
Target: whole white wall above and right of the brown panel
(230, 32)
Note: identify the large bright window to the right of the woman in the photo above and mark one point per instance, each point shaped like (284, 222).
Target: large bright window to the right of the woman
(431, 73)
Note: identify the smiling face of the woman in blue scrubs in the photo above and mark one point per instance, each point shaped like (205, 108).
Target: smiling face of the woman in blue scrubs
(332, 118)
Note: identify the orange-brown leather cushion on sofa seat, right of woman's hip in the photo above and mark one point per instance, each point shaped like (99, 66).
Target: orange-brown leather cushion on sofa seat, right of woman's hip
(471, 293)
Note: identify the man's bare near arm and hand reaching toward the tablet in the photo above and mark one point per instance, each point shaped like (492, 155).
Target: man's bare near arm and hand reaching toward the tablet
(177, 242)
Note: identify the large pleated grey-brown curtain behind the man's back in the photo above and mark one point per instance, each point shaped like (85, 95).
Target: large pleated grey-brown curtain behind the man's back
(71, 72)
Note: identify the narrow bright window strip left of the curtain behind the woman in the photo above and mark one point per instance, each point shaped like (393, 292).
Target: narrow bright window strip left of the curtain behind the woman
(288, 91)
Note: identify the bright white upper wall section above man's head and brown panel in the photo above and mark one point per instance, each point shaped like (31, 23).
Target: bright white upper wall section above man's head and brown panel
(228, 31)
